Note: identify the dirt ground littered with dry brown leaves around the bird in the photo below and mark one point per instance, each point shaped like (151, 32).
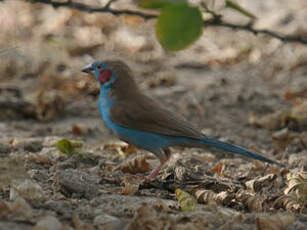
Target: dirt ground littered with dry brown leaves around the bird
(238, 87)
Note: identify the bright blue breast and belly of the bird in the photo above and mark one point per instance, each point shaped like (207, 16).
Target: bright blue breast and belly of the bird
(142, 139)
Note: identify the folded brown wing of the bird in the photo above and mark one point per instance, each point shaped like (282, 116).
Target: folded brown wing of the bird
(147, 115)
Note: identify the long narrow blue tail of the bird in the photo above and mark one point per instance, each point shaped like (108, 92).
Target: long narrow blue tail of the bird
(235, 149)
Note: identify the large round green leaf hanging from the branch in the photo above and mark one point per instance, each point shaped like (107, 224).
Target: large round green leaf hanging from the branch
(178, 26)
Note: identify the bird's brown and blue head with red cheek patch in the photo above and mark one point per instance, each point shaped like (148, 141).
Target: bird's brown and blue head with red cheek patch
(113, 74)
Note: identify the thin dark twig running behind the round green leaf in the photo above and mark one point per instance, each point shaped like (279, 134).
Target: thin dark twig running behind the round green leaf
(216, 21)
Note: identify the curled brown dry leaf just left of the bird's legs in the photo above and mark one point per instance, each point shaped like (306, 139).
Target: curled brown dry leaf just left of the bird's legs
(135, 165)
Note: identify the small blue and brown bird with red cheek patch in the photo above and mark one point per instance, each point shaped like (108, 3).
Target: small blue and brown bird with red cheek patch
(144, 122)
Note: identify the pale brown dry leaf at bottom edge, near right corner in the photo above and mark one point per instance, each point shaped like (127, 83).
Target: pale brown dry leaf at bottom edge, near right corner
(275, 222)
